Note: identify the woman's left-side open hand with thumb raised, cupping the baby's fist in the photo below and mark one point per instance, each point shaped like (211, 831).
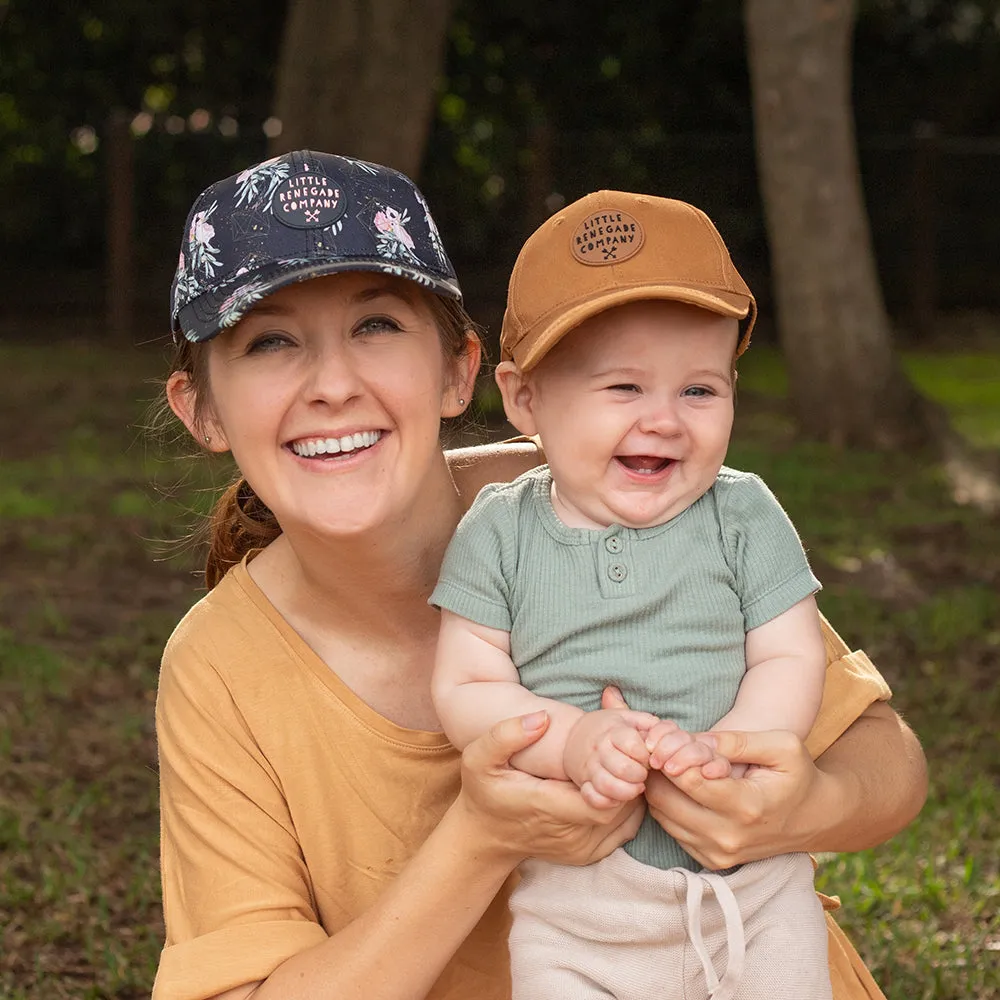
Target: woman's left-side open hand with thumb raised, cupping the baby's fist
(517, 815)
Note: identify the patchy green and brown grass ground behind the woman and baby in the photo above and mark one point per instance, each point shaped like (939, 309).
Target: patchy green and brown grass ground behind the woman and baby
(88, 595)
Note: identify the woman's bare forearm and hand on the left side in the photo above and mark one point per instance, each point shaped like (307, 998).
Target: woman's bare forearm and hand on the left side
(398, 948)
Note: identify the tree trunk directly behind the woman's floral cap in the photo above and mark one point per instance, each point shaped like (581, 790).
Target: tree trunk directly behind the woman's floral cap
(358, 77)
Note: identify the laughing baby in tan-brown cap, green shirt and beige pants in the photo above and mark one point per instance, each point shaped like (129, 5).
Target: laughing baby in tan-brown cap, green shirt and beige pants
(635, 558)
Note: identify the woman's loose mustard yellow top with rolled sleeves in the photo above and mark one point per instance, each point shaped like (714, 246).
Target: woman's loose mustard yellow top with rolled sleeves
(287, 803)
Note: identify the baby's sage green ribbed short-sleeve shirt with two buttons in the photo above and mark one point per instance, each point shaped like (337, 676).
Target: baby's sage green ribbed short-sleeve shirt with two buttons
(662, 611)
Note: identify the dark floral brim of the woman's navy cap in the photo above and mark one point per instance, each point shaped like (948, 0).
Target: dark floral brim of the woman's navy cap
(204, 317)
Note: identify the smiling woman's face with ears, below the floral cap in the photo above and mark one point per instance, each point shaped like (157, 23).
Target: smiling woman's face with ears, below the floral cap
(329, 394)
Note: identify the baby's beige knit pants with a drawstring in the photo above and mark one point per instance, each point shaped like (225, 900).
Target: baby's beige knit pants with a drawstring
(629, 931)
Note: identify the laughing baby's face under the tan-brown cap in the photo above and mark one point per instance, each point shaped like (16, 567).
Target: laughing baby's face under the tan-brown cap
(634, 408)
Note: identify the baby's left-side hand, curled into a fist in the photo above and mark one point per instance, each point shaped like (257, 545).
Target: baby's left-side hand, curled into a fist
(606, 756)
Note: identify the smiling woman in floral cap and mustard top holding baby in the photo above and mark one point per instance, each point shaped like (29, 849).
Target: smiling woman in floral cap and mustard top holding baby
(320, 836)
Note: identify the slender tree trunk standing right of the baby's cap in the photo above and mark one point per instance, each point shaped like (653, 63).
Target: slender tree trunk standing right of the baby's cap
(845, 382)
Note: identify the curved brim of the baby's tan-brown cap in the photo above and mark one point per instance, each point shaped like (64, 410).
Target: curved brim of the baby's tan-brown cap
(734, 304)
